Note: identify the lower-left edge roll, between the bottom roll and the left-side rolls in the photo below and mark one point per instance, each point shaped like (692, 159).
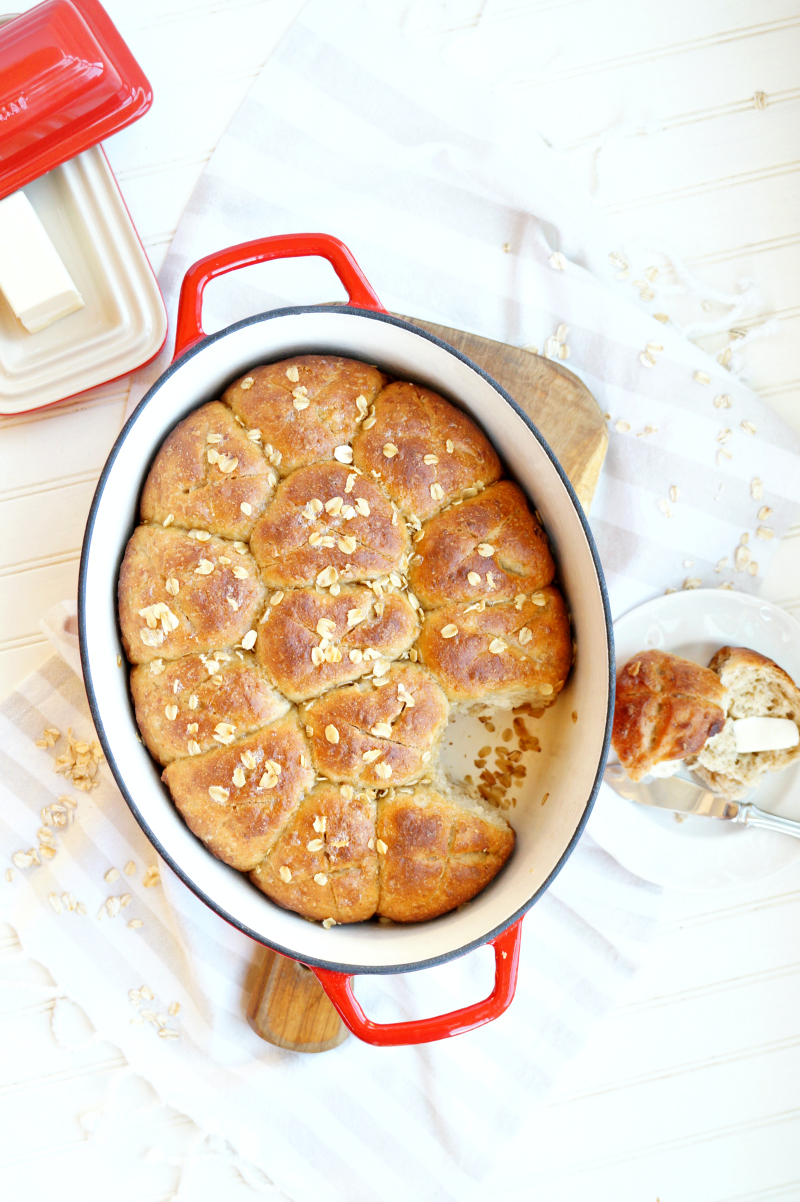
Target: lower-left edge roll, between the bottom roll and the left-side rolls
(237, 799)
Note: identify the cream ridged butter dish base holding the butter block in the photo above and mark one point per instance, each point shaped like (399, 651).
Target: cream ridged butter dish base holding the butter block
(123, 324)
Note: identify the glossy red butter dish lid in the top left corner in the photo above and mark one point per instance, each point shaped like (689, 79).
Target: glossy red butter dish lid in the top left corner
(68, 81)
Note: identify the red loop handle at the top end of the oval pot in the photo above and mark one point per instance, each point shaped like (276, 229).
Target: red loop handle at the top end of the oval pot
(189, 329)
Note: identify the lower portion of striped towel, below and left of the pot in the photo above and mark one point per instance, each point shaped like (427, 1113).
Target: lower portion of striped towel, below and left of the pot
(165, 980)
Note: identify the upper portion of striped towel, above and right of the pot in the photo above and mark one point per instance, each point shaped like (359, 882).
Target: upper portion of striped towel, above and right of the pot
(458, 213)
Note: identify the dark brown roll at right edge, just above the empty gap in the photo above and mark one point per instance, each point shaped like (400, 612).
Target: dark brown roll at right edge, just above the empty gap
(504, 654)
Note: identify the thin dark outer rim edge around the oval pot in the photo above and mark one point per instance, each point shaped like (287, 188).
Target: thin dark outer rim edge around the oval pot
(198, 349)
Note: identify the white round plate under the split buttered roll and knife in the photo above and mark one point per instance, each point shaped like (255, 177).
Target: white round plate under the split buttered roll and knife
(703, 854)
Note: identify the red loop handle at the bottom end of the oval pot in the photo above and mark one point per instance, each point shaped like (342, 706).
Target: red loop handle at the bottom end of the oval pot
(339, 987)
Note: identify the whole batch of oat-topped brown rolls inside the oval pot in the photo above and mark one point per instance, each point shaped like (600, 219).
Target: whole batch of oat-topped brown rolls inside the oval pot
(329, 566)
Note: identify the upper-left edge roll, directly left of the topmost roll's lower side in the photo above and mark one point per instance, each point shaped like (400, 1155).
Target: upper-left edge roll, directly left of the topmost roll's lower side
(210, 474)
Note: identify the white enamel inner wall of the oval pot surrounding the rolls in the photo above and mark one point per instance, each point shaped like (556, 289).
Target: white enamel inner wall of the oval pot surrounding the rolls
(574, 755)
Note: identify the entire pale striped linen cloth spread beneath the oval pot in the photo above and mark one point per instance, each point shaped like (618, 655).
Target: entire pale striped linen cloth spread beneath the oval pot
(353, 132)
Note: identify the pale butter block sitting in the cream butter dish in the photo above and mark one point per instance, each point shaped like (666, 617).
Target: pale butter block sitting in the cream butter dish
(33, 278)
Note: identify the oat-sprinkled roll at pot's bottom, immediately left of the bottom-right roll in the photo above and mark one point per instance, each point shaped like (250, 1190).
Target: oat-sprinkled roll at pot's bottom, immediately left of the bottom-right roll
(325, 865)
